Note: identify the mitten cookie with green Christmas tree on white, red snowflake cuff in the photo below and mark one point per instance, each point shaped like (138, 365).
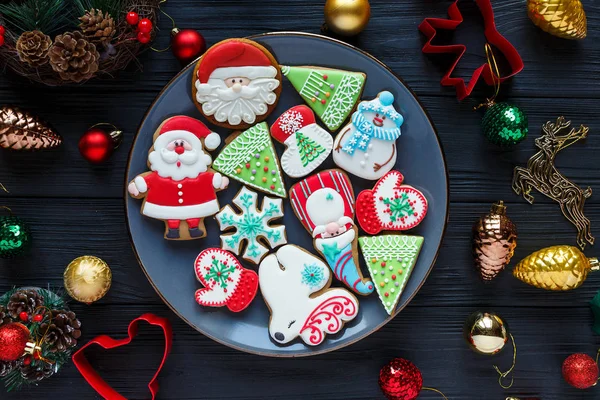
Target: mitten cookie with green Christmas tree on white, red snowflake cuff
(307, 144)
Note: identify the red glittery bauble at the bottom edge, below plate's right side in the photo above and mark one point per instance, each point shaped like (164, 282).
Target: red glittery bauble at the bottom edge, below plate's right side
(400, 380)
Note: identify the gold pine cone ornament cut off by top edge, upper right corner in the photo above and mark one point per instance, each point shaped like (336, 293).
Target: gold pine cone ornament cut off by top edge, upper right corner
(563, 18)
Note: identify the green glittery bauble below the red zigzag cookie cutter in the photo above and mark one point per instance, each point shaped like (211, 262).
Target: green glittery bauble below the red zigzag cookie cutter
(505, 124)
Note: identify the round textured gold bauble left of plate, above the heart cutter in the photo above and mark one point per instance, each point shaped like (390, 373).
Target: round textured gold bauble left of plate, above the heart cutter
(87, 279)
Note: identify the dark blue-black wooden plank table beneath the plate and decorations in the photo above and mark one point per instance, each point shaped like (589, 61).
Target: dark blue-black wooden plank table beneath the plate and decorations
(77, 209)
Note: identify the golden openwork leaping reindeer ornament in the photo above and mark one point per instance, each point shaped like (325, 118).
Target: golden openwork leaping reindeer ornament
(542, 175)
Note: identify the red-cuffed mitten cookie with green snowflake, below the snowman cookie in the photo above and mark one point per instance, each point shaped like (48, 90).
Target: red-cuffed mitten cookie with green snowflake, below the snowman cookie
(390, 206)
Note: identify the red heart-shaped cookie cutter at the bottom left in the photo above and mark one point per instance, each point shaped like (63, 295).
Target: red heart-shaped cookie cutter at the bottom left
(106, 342)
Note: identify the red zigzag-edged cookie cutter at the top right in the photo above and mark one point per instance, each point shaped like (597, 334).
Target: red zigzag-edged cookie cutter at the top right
(429, 27)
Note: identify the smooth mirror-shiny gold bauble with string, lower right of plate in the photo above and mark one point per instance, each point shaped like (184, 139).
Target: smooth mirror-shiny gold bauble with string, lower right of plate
(486, 333)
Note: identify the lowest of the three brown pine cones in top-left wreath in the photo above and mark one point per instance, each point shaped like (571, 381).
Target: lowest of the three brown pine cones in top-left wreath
(74, 57)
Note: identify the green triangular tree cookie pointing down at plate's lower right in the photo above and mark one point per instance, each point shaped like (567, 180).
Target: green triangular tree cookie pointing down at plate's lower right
(390, 260)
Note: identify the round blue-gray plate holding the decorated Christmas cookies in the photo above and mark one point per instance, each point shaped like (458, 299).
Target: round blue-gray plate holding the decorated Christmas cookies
(169, 265)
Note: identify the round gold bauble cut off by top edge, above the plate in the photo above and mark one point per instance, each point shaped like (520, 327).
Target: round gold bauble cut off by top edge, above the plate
(347, 17)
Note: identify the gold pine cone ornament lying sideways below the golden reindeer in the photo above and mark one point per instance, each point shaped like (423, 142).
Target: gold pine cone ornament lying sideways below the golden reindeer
(556, 268)
